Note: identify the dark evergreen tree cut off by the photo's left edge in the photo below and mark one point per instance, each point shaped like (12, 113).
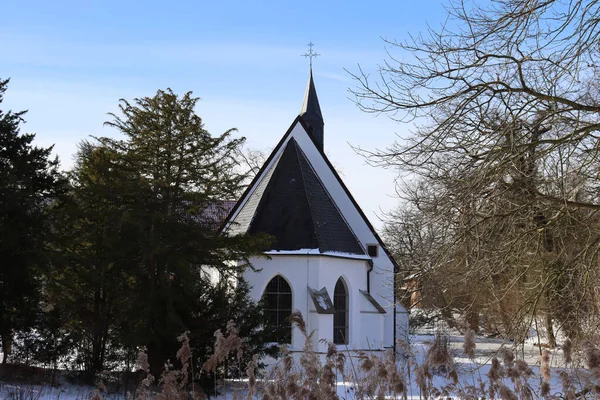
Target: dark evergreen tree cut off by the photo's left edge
(29, 181)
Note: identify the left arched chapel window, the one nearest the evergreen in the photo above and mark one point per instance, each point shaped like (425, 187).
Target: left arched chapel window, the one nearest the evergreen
(278, 301)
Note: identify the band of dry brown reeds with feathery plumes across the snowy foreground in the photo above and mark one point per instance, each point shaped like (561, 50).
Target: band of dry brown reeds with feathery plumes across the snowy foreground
(371, 376)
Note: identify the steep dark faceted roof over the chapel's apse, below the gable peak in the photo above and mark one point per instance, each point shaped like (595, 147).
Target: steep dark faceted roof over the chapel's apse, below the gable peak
(297, 211)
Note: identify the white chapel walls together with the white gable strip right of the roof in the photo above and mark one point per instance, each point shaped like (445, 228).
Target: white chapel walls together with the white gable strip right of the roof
(300, 273)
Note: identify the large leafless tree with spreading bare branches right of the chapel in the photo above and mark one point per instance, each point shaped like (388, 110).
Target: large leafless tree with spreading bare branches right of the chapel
(506, 106)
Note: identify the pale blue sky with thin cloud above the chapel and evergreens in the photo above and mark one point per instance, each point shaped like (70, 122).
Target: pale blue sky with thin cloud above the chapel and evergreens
(70, 62)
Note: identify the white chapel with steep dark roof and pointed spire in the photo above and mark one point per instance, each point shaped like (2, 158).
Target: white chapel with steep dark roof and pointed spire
(326, 259)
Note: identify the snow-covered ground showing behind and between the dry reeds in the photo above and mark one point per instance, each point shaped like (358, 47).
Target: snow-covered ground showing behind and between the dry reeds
(470, 373)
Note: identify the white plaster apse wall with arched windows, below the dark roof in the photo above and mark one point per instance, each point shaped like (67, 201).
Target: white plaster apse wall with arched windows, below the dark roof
(365, 326)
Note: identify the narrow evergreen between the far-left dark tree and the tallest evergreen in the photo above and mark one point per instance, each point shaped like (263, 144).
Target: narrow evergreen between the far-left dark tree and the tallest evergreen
(92, 269)
